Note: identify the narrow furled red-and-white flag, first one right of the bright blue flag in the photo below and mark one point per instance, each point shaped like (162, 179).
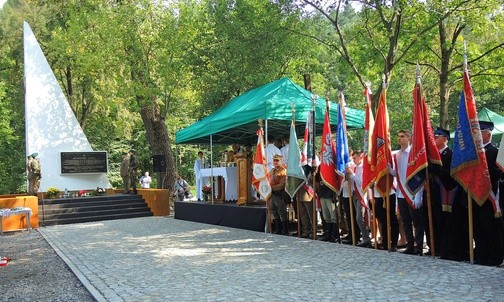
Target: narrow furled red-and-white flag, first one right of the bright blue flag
(368, 176)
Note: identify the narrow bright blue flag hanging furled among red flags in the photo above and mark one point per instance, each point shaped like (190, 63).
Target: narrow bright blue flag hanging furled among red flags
(342, 154)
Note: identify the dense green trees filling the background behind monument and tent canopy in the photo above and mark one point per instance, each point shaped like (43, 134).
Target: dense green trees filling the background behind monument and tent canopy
(136, 71)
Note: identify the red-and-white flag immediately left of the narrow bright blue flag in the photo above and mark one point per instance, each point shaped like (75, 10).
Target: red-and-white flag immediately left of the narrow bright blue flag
(328, 150)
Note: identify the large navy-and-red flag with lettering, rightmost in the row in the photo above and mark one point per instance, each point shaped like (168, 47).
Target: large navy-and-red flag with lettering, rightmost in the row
(469, 165)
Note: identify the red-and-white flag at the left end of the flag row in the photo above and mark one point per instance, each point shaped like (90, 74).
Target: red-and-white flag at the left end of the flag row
(260, 175)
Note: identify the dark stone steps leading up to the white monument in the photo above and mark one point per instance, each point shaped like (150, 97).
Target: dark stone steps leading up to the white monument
(87, 209)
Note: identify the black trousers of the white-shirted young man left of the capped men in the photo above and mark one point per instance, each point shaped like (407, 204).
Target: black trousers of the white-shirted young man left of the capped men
(412, 218)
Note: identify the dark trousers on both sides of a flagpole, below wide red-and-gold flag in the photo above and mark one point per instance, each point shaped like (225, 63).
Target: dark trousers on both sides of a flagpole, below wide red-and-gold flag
(381, 215)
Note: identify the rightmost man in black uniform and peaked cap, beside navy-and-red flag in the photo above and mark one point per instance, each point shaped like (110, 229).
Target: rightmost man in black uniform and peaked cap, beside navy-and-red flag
(487, 218)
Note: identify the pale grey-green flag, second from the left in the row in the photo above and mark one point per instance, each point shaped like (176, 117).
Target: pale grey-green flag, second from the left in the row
(295, 174)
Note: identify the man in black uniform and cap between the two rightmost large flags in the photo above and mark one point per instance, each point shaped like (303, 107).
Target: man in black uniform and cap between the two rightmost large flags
(449, 206)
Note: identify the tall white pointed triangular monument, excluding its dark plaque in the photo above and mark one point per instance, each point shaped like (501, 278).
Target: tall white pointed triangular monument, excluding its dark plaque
(51, 126)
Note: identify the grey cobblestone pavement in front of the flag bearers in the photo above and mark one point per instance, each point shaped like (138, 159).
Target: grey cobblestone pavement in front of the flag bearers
(164, 259)
